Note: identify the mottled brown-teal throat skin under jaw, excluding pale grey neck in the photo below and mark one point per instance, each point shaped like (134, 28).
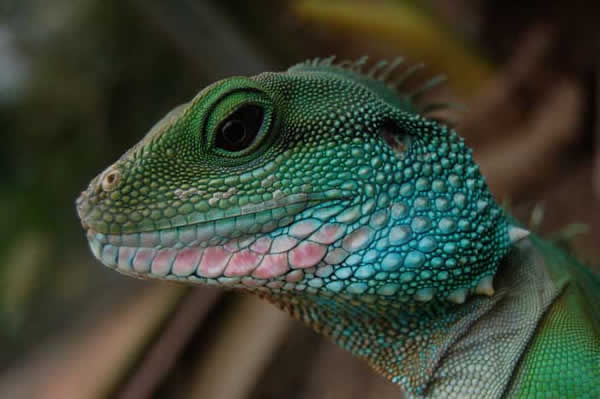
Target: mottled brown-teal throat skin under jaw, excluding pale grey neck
(404, 345)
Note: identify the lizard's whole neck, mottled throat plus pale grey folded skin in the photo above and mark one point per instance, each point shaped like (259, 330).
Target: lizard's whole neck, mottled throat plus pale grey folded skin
(431, 349)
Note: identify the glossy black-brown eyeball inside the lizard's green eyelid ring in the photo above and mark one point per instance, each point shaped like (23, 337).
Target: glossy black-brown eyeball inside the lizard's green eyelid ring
(239, 130)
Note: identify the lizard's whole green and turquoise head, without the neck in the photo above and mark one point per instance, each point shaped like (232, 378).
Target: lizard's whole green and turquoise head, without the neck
(316, 182)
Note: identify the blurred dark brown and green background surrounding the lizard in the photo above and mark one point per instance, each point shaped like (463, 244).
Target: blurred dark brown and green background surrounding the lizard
(82, 81)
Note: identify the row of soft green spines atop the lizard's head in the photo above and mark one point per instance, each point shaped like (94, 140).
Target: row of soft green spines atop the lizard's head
(392, 75)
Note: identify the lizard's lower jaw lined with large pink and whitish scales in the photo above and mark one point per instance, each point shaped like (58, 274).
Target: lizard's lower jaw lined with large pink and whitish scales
(274, 261)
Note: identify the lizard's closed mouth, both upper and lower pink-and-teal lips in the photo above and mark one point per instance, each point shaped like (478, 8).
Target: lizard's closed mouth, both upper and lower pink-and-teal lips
(225, 251)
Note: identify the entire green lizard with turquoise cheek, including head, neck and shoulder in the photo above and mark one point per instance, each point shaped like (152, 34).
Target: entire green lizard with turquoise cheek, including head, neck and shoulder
(328, 192)
